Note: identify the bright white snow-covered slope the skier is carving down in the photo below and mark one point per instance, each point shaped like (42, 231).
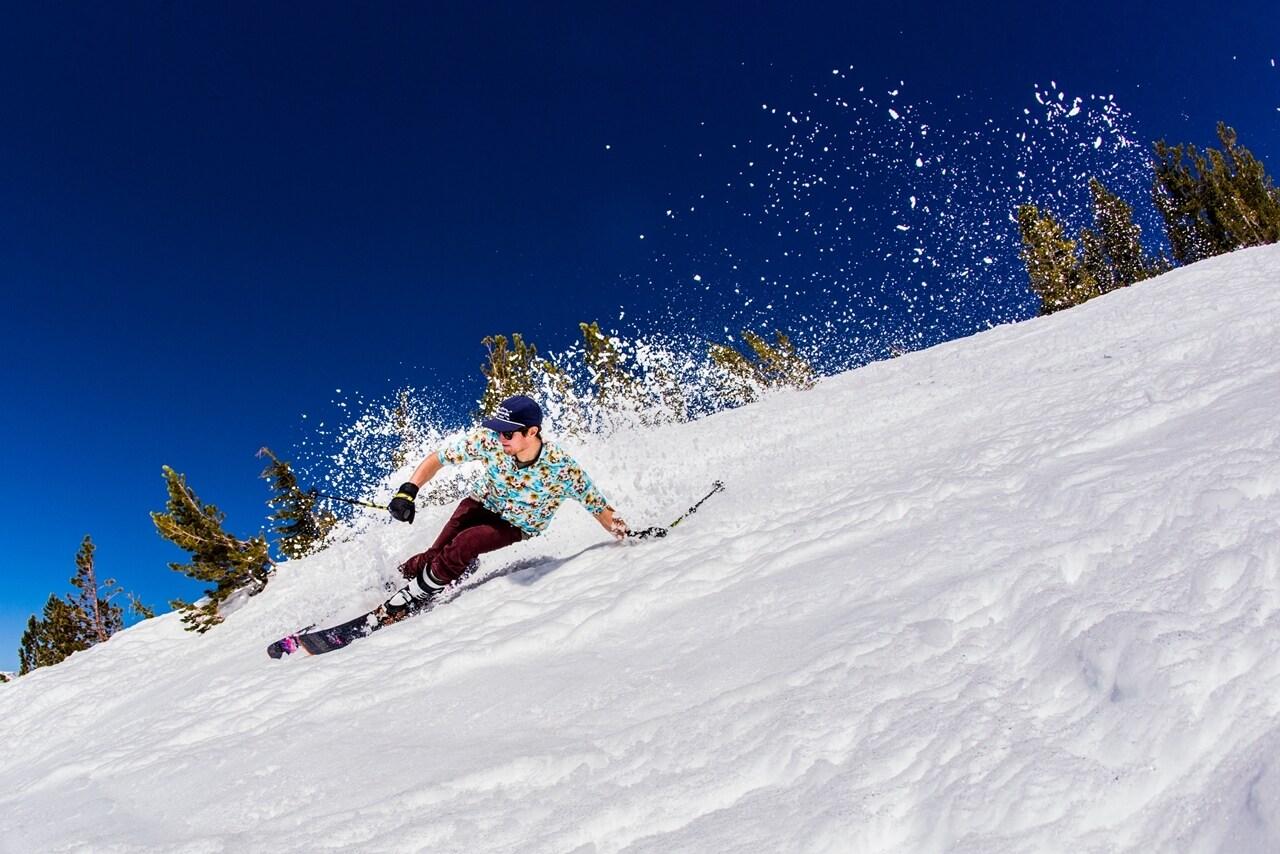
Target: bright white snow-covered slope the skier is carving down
(1016, 593)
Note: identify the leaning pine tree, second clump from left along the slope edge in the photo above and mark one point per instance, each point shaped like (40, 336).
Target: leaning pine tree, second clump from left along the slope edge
(217, 558)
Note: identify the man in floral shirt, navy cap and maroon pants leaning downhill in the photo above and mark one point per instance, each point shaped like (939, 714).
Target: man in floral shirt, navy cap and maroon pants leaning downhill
(523, 485)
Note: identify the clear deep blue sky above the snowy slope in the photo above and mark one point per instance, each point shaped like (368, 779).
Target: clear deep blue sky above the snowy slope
(212, 221)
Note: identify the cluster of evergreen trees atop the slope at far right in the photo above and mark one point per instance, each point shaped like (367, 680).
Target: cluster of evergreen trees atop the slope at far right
(1212, 203)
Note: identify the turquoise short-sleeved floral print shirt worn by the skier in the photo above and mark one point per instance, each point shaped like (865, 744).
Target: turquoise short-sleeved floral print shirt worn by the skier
(527, 497)
